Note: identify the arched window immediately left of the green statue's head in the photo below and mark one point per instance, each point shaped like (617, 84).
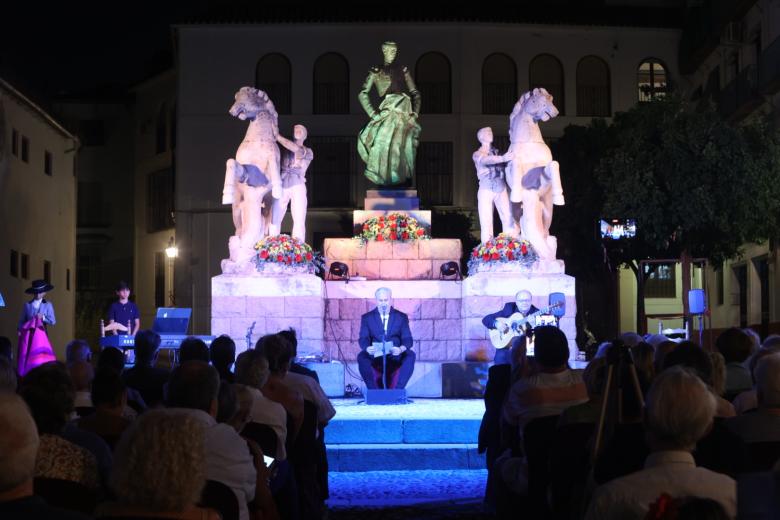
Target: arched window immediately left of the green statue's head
(331, 84)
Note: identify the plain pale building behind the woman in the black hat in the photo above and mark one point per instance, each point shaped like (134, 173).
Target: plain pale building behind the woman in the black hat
(37, 212)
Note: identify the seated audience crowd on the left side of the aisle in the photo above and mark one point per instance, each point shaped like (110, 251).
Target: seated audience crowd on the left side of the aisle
(88, 438)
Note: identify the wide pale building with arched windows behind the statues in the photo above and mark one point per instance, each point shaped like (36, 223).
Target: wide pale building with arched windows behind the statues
(469, 75)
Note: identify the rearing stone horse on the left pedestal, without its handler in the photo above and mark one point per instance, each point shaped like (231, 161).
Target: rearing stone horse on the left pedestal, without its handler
(253, 173)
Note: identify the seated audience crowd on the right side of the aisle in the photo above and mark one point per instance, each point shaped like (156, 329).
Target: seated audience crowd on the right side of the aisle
(652, 428)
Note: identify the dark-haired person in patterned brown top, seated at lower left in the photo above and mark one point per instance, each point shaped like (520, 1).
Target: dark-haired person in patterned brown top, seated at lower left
(49, 393)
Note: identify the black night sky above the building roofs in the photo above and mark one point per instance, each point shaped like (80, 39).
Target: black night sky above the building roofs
(98, 49)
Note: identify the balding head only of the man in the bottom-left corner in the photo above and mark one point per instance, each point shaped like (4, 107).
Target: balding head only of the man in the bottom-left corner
(18, 442)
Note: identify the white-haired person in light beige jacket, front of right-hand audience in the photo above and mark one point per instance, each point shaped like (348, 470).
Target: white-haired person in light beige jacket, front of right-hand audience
(680, 411)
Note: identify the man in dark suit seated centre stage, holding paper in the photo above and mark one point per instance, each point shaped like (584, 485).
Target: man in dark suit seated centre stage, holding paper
(388, 324)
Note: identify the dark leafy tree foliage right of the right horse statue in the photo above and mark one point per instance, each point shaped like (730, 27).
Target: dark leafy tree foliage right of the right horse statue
(694, 182)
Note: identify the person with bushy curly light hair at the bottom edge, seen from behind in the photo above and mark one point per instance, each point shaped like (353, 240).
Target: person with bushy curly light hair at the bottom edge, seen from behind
(160, 469)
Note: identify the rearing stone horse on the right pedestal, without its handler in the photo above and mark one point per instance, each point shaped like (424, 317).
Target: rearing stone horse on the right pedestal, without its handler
(534, 179)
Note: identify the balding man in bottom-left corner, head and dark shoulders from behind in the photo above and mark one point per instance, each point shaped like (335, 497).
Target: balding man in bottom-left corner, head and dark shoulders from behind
(18, 453)
